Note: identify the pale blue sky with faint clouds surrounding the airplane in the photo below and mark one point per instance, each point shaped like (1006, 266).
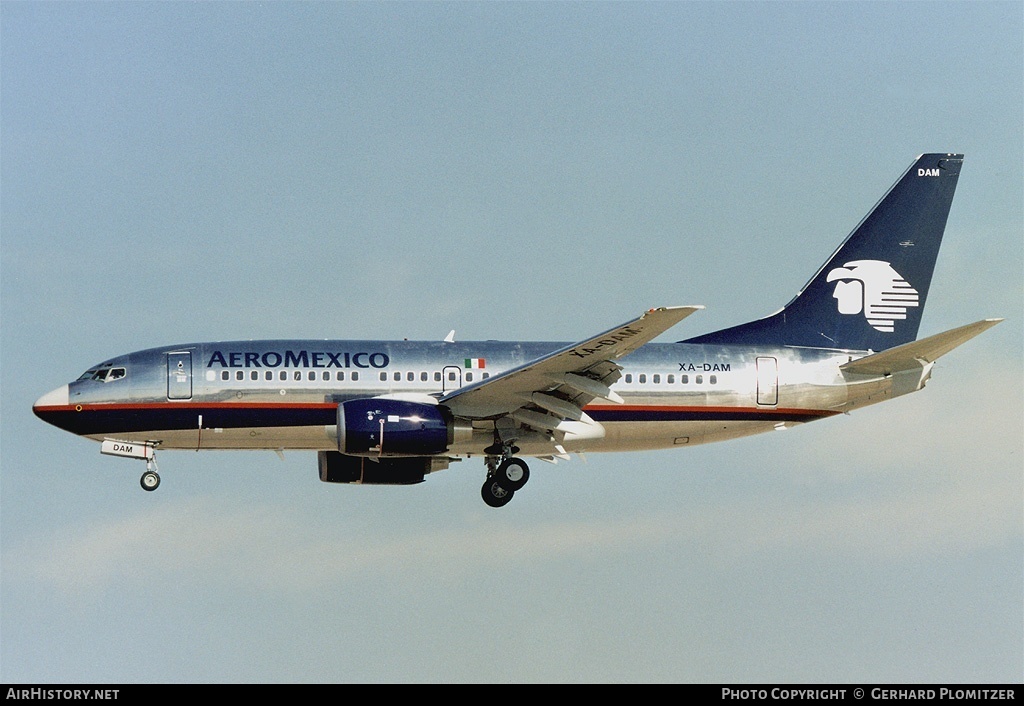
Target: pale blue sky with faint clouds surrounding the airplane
(175, 173)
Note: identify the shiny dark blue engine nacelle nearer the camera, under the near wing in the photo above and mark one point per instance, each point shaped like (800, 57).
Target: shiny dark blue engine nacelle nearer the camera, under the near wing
(380, 427)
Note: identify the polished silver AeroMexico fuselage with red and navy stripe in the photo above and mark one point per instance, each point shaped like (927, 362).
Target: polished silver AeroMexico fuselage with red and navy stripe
(285, 394)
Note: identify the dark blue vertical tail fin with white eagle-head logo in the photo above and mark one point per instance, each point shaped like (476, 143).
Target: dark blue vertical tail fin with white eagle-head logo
(871, 295)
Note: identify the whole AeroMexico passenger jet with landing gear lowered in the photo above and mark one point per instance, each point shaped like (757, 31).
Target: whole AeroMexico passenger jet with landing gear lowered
(394, 412)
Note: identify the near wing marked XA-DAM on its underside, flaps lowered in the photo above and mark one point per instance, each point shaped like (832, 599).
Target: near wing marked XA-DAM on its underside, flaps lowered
(563, 383)
